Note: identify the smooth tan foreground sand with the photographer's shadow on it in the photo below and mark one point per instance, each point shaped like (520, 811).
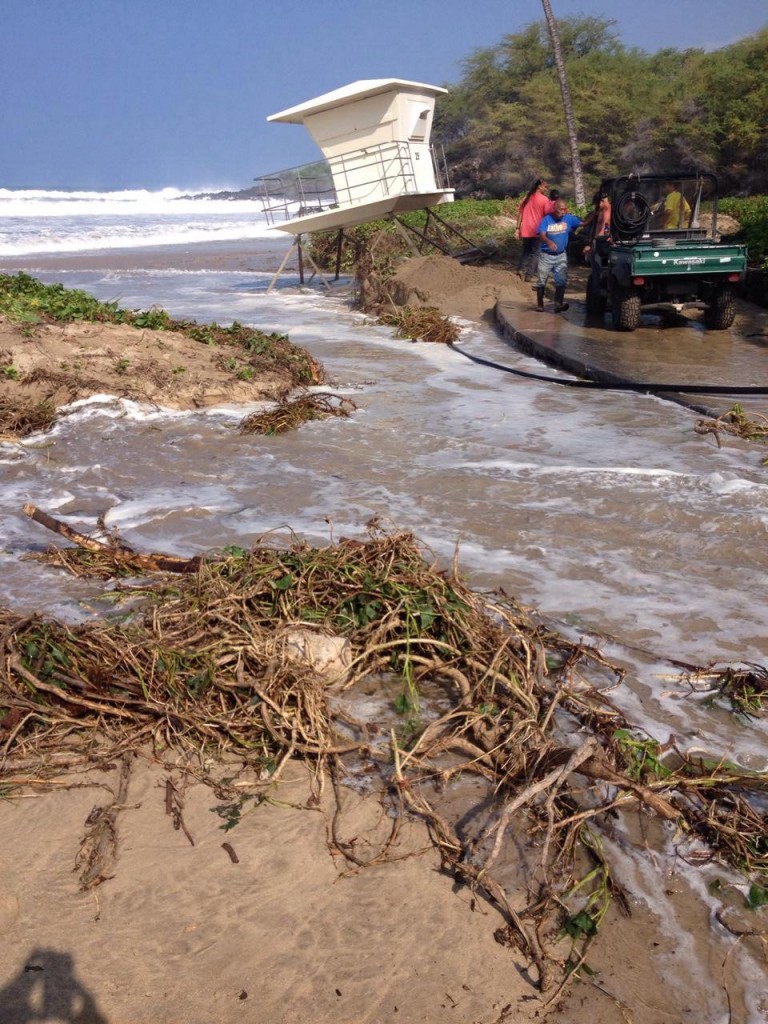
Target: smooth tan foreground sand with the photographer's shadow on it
(183, 933)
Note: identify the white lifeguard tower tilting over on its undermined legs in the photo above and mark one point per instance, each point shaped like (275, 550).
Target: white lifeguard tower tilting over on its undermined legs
(378, 162)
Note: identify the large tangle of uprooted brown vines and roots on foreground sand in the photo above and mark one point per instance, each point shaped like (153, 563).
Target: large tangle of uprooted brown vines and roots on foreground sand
(201, 663)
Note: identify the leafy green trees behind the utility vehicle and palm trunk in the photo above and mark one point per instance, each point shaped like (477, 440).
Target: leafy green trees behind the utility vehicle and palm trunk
(503, 125)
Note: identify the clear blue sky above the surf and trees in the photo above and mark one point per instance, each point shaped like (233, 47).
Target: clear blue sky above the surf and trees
(148, 94)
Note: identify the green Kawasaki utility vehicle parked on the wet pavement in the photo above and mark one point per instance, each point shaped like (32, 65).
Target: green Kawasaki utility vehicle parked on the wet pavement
(663, 254)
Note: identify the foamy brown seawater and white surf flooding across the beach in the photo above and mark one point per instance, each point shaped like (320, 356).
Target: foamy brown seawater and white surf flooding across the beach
(605, 511)
